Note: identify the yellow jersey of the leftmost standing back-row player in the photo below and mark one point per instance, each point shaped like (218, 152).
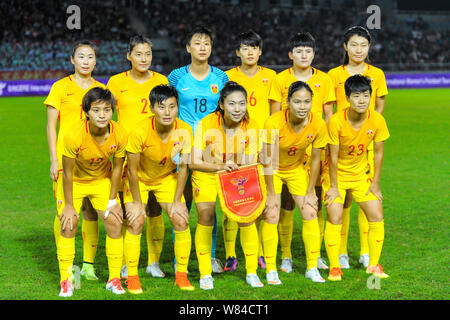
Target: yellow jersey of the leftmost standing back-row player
(66, 96)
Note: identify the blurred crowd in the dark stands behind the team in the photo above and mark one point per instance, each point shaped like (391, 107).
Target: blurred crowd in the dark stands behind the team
(34, 35)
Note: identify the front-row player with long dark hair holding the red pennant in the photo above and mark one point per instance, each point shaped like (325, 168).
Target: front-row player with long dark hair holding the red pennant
(223, 140)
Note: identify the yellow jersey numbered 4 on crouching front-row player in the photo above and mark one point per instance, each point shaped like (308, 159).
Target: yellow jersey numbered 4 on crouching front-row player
(156, 155)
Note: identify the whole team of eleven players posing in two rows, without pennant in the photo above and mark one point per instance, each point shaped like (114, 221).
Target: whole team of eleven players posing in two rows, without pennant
(299, 102)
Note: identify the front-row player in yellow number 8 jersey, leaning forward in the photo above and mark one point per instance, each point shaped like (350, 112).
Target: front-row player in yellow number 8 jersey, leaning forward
(291, 132)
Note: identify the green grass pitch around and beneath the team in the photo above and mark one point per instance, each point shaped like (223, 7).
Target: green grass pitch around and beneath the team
(415, 185)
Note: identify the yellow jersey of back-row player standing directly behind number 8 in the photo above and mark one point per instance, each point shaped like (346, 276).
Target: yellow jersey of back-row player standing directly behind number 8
(320, 83)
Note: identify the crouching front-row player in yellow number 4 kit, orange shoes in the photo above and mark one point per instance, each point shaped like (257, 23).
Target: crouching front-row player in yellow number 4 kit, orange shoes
(152, 145)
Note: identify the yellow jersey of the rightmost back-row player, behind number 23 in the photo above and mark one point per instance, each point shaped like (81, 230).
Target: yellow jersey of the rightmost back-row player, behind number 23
(340, 74)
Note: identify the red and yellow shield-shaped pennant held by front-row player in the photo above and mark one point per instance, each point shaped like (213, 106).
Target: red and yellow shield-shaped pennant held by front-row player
(242, 193)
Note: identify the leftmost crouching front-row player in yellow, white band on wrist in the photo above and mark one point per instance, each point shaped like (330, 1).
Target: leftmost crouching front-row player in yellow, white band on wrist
(87, 172)
